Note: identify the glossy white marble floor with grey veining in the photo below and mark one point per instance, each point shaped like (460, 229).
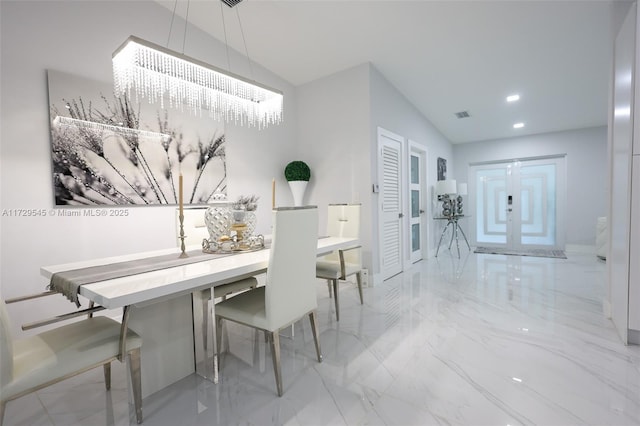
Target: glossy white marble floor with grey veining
(484, 340)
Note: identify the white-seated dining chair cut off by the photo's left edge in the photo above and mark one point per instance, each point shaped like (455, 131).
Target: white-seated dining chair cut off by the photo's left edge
(35, 362)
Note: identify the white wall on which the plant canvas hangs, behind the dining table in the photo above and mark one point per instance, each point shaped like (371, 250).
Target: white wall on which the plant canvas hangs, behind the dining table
(78, 38)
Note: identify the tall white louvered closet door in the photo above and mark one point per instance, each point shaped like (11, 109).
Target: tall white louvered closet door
(390, 204)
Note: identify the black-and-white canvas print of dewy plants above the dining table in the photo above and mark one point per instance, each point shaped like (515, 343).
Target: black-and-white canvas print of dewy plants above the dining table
(109, 150)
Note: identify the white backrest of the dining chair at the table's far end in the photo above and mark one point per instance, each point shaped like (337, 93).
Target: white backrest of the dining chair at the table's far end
(343, 220)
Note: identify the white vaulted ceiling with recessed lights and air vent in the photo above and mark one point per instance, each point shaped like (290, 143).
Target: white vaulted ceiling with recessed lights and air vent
(443, 56)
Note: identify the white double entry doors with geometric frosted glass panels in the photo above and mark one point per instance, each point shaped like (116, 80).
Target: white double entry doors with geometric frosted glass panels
(519, 204)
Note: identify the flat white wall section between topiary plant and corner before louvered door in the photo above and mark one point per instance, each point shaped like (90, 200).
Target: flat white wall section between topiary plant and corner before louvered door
(333, 138)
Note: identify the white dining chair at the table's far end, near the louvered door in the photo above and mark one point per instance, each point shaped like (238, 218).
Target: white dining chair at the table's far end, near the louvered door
(343, 220)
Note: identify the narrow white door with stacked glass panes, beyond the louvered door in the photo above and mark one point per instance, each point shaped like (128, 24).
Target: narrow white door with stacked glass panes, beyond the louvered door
(417, 204)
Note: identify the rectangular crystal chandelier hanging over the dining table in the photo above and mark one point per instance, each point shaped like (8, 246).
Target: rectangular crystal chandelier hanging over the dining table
(155, 72)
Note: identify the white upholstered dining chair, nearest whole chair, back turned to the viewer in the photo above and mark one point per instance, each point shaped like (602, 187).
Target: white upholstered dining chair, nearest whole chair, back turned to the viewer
(289, 293)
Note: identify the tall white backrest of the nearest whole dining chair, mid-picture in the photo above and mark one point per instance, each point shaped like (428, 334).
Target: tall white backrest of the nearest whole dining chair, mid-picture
(290, 289)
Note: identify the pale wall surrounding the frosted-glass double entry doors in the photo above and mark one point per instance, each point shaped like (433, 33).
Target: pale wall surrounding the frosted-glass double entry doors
(587, 176)
